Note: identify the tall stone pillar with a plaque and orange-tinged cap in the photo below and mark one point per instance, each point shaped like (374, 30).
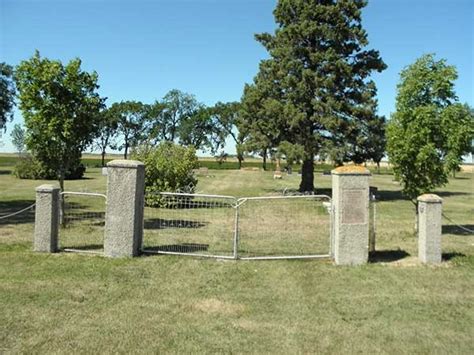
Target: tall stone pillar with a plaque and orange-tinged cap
(350, 195)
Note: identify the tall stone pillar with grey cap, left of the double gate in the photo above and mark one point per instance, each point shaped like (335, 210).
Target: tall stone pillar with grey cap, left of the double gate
(125, 203)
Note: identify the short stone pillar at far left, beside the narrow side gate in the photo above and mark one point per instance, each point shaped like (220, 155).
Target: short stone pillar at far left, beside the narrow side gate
(46, 219)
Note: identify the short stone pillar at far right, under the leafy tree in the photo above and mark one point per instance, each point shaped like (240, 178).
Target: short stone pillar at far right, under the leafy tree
(430, 208)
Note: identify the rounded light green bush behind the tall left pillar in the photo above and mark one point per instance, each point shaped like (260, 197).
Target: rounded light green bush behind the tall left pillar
(168, 167)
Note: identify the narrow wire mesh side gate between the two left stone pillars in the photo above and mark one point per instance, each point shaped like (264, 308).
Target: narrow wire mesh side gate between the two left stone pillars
(82, 222)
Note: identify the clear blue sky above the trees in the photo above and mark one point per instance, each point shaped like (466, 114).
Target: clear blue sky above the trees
(142, 49)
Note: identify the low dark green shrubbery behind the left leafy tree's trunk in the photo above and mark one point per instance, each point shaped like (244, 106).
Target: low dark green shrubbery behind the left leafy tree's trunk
(28, 167)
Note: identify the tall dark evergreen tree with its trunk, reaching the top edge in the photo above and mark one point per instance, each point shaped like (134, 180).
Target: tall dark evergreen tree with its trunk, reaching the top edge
(317, 76)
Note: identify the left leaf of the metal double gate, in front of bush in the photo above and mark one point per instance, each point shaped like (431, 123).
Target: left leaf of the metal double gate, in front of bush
(190, 224)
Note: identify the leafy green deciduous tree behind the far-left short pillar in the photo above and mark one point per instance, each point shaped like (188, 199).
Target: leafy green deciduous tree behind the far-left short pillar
(60, 106)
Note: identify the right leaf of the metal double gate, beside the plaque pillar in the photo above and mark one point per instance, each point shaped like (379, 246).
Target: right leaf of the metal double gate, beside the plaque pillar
(284, 227)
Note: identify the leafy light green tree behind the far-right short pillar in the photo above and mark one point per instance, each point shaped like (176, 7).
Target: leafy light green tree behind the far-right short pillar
(429, 132)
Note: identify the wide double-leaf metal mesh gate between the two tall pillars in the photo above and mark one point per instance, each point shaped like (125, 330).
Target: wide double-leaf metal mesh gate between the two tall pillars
(276, 227)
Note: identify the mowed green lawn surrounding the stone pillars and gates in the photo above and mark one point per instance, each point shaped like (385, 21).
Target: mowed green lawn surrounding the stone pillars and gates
(76, 303)
